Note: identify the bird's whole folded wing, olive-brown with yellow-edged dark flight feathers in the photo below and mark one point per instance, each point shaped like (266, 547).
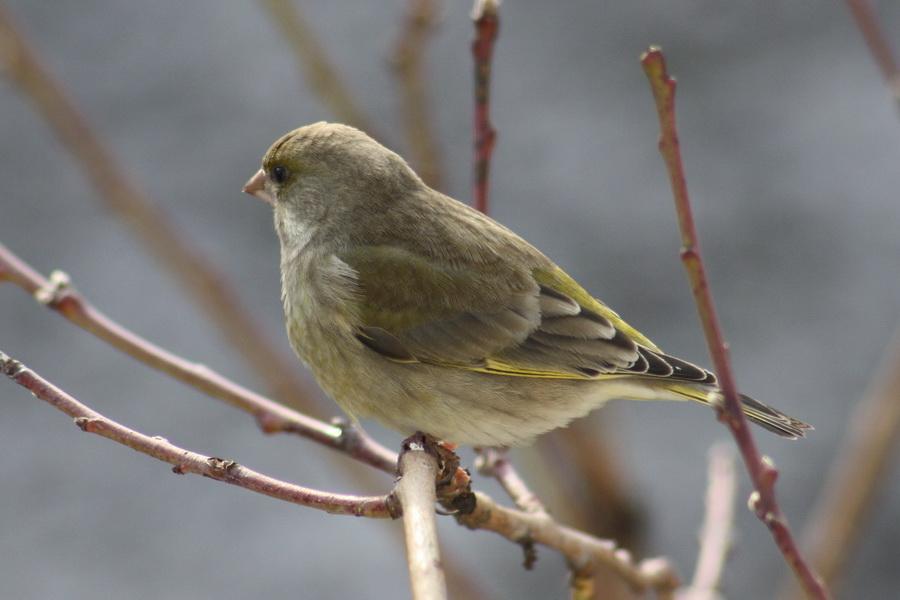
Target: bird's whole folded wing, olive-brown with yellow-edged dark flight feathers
(537, 323)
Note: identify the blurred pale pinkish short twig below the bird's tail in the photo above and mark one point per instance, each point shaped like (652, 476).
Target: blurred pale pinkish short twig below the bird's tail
(716, 533)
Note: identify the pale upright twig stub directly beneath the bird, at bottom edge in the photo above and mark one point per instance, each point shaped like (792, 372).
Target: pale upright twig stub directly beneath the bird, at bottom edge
(416, 492)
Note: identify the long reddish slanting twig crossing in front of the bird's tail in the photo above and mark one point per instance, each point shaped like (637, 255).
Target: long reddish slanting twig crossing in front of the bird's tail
(762, 470)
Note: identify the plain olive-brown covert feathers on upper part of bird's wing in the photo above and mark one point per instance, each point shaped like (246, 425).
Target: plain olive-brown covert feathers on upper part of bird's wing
(438, 313)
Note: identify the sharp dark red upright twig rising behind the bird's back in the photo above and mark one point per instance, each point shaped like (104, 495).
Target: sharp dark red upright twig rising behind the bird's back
(487, 25)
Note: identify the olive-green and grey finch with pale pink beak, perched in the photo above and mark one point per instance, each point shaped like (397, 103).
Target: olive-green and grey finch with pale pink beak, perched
(420, 312)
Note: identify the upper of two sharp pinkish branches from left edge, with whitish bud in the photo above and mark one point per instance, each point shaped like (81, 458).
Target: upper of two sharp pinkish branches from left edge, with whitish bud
(59, 295)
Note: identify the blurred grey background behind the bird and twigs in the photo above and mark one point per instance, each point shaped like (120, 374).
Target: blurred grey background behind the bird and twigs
(792, 148)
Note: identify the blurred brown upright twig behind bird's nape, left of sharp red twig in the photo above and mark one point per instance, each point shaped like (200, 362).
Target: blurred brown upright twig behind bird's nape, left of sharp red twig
(408, 62)
